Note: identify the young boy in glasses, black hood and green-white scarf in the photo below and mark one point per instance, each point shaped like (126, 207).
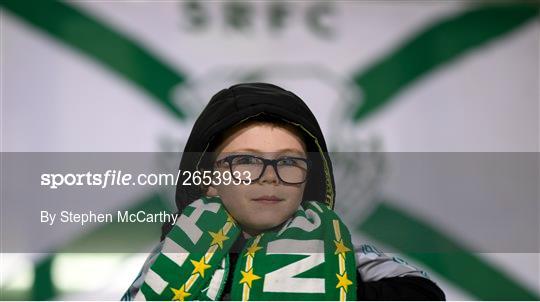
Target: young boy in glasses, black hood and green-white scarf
(263, 227)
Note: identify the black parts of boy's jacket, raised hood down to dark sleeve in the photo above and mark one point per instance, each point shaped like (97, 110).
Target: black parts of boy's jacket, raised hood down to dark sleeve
(242, 102)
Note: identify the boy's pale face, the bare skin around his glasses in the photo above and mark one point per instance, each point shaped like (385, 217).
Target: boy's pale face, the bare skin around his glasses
(268, 202)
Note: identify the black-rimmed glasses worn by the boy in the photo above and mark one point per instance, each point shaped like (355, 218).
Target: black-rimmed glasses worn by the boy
(289, 170)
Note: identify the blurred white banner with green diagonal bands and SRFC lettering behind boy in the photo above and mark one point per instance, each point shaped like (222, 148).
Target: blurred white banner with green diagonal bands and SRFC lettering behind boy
(435, 104)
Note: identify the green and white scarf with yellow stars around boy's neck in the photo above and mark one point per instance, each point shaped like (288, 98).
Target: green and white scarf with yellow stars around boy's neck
(309, 258)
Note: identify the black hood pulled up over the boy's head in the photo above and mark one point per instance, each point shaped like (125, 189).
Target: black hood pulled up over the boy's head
(242, 102)
